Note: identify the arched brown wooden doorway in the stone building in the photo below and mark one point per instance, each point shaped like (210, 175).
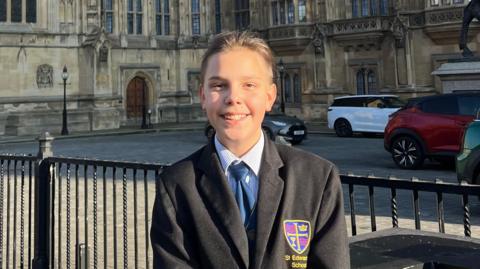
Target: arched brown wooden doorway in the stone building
(137, 99)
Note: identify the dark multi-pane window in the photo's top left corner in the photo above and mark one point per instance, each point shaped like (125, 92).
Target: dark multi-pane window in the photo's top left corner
(16, 11)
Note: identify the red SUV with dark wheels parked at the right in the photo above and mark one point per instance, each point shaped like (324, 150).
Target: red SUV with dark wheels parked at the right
(430, 126)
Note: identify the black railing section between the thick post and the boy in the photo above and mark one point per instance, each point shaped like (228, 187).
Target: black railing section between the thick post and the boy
(112, 203)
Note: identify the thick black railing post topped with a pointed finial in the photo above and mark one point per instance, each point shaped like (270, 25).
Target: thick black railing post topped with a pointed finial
(42, 249)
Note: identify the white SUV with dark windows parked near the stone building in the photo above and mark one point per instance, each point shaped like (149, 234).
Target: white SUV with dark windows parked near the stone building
(361, 113)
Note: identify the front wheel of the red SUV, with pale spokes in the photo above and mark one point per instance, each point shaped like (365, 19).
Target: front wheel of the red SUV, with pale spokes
(407, 153)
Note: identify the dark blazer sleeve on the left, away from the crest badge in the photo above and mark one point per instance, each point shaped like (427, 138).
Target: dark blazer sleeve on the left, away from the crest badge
(172, 247)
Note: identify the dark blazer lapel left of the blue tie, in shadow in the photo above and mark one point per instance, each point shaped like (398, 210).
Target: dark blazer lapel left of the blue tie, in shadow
(217, 193)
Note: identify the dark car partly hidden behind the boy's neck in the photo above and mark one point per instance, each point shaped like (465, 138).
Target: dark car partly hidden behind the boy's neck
(292, 129)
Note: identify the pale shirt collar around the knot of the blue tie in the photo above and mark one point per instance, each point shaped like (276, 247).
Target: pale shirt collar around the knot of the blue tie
(252, 158)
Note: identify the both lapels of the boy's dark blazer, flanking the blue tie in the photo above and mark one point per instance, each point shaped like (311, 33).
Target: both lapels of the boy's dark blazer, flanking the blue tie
(214, 185)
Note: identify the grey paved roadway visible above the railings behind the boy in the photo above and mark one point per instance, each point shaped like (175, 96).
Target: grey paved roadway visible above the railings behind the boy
(357, 155)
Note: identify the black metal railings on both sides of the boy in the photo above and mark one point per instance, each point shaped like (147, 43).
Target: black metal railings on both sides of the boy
(93, 213)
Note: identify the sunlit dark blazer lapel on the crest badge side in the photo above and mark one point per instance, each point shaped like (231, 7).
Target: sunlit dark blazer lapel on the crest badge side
(269, 198)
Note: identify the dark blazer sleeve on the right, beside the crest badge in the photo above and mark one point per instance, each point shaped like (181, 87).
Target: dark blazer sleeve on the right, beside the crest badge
(329, 247)
